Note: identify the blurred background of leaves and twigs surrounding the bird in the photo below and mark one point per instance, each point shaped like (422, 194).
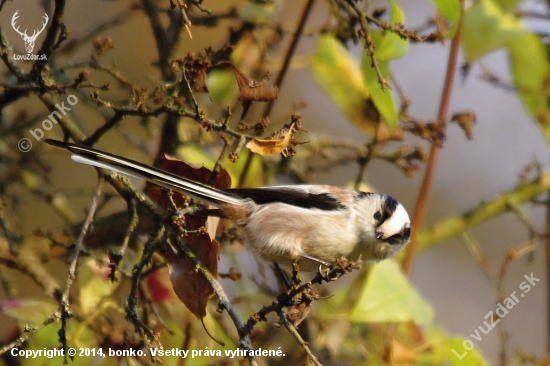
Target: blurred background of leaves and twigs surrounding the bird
(343, 92)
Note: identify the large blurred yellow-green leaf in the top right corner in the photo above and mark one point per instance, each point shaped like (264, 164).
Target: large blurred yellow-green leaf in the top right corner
(529, 63)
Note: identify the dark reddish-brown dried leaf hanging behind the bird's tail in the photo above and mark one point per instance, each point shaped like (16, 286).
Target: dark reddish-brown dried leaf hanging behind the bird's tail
(190, 286)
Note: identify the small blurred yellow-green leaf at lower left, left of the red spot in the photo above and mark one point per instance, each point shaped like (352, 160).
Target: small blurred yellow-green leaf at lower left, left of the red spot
(93, 285)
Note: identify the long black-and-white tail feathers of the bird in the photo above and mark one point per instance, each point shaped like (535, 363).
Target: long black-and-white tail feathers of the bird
(100, 159)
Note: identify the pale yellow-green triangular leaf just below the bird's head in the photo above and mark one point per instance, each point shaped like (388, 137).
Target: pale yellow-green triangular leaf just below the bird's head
(388, 297)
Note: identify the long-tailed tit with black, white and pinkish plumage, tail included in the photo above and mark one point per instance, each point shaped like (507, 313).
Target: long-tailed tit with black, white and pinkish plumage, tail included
(283, 224)
